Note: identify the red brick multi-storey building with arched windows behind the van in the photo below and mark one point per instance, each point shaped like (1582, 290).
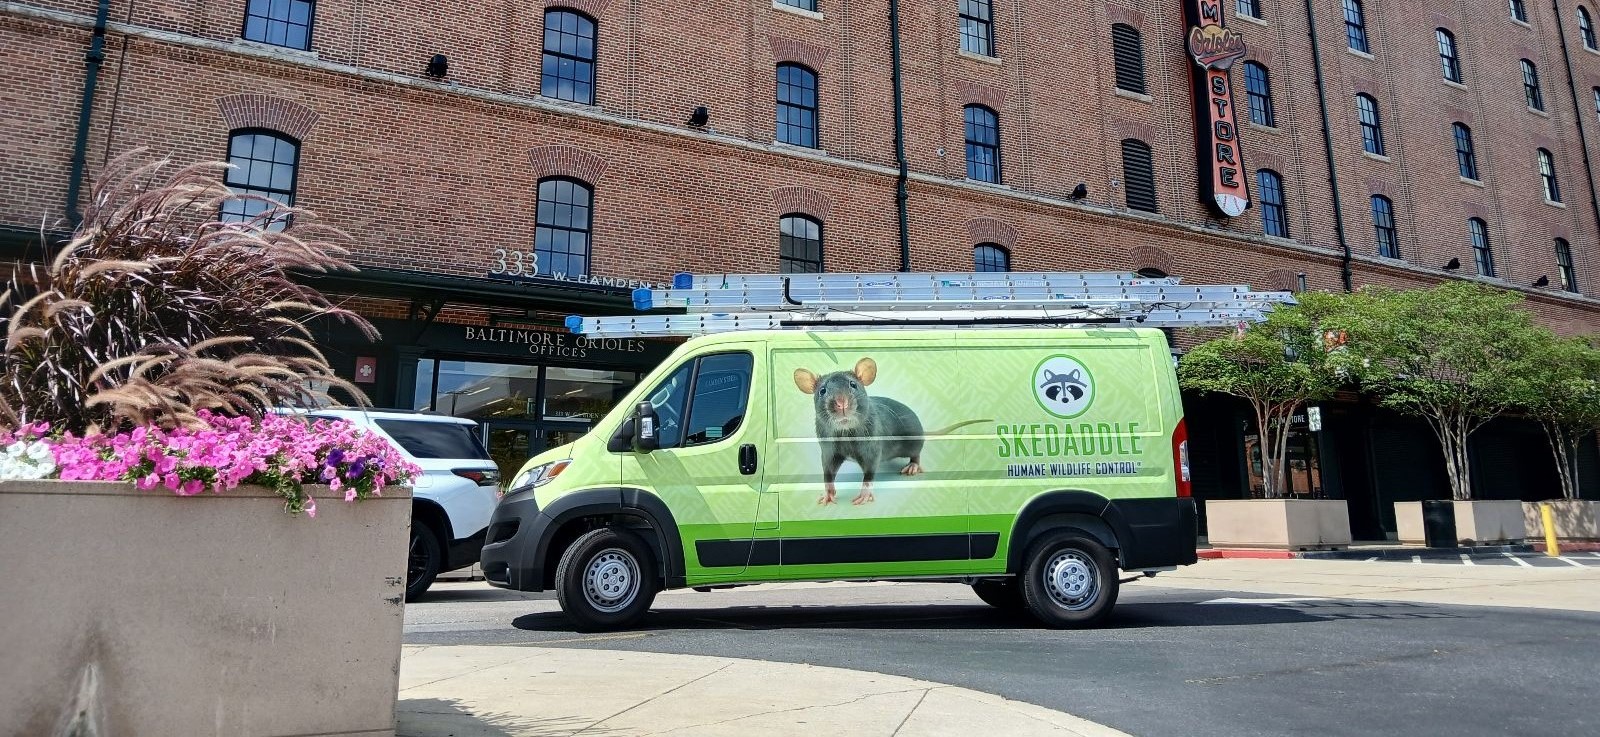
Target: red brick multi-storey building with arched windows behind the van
(689, 137)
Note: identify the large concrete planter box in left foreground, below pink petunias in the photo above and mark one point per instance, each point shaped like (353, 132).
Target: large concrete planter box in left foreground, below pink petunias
(150, 613)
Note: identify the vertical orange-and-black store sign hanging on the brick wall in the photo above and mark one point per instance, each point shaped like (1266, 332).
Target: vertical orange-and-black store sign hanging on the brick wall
(1215, 50)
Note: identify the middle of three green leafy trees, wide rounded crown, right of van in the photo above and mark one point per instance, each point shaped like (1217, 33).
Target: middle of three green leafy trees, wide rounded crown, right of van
(1455, 356)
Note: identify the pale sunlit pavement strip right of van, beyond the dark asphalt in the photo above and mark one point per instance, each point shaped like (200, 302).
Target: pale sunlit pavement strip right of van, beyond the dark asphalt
(1566, 588)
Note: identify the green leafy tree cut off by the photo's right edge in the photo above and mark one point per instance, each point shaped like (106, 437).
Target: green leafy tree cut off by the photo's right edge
(1562, 391)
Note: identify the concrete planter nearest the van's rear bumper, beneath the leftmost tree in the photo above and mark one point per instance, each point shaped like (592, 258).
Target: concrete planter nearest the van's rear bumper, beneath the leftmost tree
(1279, 524)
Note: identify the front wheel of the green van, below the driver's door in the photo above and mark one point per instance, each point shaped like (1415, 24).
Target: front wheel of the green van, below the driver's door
(606, 580)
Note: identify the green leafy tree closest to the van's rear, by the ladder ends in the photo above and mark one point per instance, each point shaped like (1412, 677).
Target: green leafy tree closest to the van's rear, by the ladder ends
(1278, 367)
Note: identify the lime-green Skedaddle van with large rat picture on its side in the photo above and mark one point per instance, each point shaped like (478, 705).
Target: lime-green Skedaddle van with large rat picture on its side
(1028, 463)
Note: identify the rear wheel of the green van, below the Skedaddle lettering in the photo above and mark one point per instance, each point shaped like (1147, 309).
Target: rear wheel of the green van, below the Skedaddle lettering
(1070, 581)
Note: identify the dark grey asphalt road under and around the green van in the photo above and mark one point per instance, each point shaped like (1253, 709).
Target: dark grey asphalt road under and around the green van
(1174, 663)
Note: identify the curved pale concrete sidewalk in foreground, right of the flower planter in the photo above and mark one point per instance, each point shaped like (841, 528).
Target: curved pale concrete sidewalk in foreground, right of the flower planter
(516, 691)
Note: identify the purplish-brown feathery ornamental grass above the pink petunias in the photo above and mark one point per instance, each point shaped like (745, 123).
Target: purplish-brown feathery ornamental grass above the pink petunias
(158, 309)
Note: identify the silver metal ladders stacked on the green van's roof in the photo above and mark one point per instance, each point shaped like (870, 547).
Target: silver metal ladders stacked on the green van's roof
(722, 303)
